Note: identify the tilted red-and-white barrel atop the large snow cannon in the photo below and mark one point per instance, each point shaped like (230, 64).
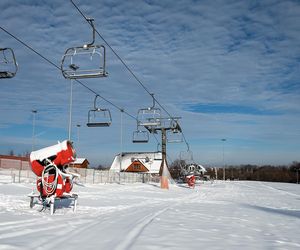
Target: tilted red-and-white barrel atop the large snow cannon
(60, 154)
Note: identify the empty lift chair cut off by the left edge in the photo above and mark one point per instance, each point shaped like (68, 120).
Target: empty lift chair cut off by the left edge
(8, 63)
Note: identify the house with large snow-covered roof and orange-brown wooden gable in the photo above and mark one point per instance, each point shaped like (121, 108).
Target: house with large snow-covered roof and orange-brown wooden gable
(144, 162)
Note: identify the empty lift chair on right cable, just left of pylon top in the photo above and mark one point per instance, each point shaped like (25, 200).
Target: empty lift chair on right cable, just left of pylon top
(149, 117)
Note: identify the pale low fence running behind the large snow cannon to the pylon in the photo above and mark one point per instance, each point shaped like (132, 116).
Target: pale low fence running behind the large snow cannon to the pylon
(91, 176)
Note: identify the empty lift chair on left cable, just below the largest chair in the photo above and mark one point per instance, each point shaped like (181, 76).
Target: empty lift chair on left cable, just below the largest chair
(99, 117)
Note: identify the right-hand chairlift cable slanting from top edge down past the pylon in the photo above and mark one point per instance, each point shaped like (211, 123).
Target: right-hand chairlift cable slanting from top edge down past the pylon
(127, 67)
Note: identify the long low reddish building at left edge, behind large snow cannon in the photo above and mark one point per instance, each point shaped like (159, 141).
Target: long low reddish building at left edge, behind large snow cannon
(14, 162)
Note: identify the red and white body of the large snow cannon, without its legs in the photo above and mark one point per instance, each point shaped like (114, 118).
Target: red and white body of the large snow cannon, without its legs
(49, 165)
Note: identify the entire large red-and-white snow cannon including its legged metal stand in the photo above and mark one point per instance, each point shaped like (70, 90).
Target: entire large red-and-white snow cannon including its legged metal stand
(54, 182)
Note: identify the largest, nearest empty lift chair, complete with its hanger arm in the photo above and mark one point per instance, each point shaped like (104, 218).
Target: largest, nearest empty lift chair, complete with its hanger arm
(87, 61)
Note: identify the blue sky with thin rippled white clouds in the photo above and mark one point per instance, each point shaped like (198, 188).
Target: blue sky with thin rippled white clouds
(229, 69)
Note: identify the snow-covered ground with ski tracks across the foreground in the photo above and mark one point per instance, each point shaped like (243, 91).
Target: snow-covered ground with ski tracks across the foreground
(222, 215)
